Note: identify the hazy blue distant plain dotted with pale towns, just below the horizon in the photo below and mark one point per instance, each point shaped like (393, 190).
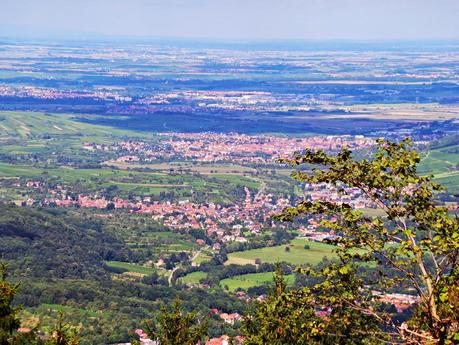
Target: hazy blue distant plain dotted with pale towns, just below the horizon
(298, 81)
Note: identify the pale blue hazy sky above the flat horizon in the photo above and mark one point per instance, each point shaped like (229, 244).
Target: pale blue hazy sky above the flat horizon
(234, 19)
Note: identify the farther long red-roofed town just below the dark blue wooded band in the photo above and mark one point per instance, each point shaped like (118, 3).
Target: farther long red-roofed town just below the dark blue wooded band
(219, 147)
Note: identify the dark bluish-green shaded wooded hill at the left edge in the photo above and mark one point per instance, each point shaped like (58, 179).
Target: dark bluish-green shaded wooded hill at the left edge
(54, 245)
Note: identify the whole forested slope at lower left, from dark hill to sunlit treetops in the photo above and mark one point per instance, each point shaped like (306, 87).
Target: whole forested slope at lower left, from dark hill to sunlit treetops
(59, 260)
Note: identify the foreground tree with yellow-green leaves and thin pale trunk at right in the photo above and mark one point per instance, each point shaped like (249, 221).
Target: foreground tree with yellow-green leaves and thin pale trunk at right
(414, 246)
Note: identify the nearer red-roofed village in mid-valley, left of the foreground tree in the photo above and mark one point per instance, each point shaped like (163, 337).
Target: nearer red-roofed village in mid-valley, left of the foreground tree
(224, 223)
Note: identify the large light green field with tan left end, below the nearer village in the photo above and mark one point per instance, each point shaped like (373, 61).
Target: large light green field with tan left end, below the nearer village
(296, 256)
